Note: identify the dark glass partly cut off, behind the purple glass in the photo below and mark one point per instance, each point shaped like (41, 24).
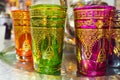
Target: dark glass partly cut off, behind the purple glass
(114, 54)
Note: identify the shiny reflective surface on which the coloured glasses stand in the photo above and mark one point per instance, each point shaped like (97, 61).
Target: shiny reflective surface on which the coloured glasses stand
(11, 69)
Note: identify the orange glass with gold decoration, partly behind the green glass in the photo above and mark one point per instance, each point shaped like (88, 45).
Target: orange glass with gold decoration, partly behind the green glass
(22, 34)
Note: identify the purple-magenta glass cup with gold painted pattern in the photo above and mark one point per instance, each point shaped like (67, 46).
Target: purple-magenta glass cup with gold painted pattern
(92, 29)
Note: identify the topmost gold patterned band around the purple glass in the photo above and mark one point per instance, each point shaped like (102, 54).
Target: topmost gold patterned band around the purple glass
(92, 14)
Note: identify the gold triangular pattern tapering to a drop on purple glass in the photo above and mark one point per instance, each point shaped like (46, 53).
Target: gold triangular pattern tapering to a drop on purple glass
(88, 37)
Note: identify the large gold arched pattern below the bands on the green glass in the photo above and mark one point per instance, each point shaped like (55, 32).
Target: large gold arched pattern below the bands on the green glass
(39, 35)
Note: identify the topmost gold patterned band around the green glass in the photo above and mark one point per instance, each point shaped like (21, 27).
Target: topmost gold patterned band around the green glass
(50, 13)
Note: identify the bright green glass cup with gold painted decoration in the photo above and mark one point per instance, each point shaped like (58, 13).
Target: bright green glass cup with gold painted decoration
(47, 24)
